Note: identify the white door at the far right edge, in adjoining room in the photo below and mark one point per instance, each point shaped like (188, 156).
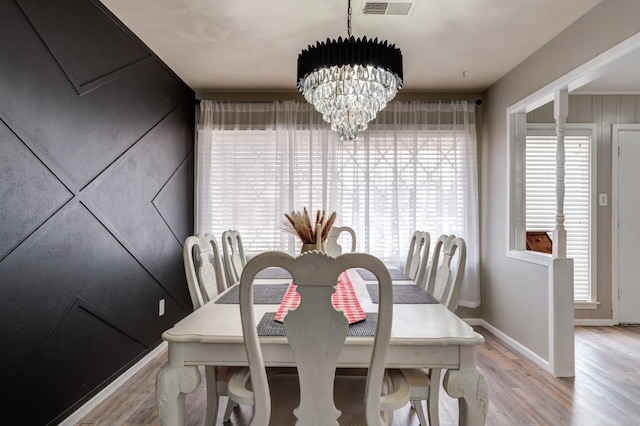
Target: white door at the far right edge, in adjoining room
(627, 261)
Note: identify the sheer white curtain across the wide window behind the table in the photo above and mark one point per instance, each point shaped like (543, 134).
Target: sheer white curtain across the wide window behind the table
(414, 168)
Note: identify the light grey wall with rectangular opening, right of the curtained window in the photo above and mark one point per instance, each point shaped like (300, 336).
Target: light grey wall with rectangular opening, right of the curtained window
(515, 292)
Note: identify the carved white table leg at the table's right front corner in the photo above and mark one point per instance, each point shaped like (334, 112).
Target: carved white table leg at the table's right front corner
(470, 386)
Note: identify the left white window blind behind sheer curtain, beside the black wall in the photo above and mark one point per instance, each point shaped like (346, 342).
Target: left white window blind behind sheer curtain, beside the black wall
(253, 180)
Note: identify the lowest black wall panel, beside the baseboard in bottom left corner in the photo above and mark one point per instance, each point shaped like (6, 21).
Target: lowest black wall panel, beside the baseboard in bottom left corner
(62, 360)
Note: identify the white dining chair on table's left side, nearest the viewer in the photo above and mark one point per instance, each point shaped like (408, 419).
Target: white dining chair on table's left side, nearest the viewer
(205, 280)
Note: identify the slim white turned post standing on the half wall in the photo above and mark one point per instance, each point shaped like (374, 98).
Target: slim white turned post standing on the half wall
(560, 112)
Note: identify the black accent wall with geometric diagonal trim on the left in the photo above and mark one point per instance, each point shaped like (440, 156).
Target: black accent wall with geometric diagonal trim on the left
(96, 198)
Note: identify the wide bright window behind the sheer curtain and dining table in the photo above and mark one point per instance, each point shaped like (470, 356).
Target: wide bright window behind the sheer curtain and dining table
(385, 192)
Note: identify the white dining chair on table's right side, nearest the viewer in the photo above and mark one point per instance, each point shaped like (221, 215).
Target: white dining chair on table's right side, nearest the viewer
(443, 284)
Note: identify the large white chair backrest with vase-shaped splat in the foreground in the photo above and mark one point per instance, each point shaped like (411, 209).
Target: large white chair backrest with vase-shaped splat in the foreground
(316, 333)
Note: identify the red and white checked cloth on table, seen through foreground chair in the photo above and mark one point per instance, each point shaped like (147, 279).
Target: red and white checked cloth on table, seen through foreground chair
(344, 299)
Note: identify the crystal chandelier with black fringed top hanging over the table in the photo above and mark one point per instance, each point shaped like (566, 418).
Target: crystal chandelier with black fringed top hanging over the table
(349, 80)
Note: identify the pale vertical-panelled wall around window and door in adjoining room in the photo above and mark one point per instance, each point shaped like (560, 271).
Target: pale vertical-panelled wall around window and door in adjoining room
(604, 111)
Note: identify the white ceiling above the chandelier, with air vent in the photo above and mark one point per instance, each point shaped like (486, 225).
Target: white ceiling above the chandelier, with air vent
(252, 45)
